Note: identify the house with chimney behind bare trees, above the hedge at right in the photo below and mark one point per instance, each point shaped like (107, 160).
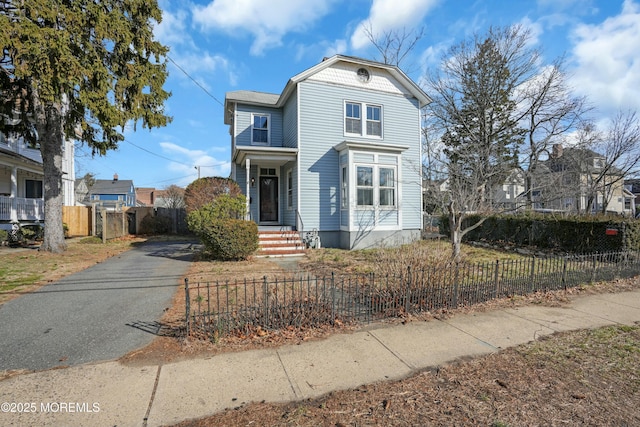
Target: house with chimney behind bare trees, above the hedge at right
(577, 175)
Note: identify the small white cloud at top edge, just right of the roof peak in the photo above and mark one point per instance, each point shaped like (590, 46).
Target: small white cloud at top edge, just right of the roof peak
(388, 15)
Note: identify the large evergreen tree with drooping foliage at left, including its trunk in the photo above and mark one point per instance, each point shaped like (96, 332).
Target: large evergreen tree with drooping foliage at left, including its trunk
(78, 69)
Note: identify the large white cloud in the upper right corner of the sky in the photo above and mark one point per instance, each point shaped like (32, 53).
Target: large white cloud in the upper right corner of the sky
(607, 60)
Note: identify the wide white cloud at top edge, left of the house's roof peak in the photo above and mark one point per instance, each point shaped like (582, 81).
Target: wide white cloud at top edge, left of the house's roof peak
(267, 22)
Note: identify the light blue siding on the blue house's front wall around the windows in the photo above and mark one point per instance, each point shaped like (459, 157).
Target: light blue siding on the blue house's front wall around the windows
(322, 127)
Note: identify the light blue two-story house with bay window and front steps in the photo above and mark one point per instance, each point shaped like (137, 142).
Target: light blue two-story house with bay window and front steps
(338, 151)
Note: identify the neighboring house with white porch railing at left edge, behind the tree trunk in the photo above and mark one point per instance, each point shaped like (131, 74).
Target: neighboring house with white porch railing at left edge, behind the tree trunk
(22, 181)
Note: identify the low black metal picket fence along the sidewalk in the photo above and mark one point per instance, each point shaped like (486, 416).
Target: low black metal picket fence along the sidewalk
(215, 309)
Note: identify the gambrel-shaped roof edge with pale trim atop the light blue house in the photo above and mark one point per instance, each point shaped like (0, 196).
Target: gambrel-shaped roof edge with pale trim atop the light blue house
(274, 100)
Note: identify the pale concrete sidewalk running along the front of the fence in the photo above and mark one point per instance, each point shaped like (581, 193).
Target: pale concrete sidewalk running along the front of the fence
(109, 394)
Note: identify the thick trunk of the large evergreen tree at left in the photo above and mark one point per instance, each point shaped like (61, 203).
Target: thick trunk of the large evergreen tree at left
(51, 140)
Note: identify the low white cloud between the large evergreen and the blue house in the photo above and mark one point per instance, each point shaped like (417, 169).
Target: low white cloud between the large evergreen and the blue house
(188, 160)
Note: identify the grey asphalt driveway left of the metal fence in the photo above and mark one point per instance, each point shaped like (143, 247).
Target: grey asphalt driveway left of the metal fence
(98, 314)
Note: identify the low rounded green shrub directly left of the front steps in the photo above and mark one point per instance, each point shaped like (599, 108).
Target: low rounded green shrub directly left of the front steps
(230, 239)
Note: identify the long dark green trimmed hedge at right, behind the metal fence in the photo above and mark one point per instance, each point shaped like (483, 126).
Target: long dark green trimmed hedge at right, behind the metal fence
(584, 234)
